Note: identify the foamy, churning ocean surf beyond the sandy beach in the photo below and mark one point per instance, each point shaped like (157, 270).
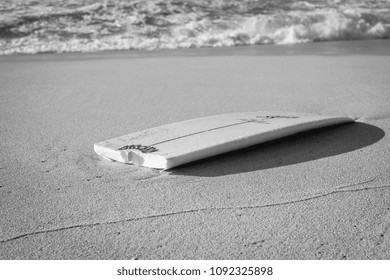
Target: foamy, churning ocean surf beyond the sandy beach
(29, 27)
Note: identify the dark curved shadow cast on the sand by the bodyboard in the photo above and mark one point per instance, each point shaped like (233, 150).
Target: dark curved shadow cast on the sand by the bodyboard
(298, 148)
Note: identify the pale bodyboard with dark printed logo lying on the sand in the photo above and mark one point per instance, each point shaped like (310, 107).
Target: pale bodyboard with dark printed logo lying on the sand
(171, 145)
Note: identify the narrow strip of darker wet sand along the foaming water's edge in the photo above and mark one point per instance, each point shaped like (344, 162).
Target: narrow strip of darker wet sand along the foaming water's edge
(326, 48)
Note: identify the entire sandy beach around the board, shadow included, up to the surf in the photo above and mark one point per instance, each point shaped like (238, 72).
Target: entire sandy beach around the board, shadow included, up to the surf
(320, 195)
